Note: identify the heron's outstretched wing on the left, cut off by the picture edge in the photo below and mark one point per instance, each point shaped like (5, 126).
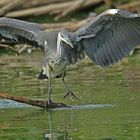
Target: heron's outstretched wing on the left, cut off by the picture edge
(20, 31)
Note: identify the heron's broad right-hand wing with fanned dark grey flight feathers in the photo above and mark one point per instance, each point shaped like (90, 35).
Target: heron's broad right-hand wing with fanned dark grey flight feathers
(110, 36)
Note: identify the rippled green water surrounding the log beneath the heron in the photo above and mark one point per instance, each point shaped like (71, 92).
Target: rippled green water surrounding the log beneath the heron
(107, 108)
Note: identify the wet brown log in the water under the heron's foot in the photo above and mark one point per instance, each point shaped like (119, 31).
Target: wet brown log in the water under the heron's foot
(34, 102)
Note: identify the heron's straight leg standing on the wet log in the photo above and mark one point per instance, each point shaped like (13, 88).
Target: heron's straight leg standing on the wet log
(49, 88)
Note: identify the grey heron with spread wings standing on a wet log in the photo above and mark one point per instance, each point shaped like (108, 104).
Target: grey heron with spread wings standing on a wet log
(105, 40)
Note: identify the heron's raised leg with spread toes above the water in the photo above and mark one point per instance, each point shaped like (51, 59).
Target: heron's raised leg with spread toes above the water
(70, 93)
